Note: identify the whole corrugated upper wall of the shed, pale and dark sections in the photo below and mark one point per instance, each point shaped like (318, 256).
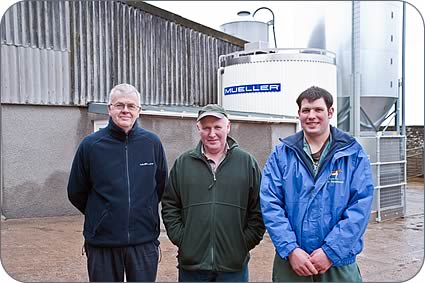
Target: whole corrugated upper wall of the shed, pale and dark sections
(73, 52)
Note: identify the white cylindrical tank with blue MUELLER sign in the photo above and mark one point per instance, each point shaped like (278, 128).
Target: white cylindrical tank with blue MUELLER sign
(269, 81)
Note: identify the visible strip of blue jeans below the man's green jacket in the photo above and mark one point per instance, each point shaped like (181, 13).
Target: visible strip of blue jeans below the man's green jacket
(213, 276)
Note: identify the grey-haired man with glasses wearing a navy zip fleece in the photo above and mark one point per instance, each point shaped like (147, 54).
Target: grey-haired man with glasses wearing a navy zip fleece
(117, 179)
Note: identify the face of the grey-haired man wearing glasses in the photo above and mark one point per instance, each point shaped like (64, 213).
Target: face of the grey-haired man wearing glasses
(124, 110)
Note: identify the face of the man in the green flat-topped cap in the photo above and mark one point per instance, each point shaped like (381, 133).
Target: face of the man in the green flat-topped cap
(213, 132)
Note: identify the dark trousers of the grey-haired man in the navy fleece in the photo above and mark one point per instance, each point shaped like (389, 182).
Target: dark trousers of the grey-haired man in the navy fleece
(138, 263)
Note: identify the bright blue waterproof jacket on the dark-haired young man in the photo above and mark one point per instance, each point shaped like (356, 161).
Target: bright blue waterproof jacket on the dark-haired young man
(328, 211)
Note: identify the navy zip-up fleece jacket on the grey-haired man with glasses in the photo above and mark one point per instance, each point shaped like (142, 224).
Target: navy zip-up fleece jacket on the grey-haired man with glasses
(117, 181)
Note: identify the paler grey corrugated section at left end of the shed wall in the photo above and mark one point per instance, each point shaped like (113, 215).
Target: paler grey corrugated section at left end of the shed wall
(35, 67)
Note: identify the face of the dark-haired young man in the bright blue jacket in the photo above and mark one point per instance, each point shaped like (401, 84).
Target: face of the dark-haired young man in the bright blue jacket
(315, 117)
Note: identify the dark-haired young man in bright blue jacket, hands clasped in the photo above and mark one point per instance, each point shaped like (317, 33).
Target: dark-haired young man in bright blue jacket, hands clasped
(316, 197)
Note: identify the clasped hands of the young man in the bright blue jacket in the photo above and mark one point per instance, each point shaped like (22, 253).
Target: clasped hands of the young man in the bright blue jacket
(305, 264)
